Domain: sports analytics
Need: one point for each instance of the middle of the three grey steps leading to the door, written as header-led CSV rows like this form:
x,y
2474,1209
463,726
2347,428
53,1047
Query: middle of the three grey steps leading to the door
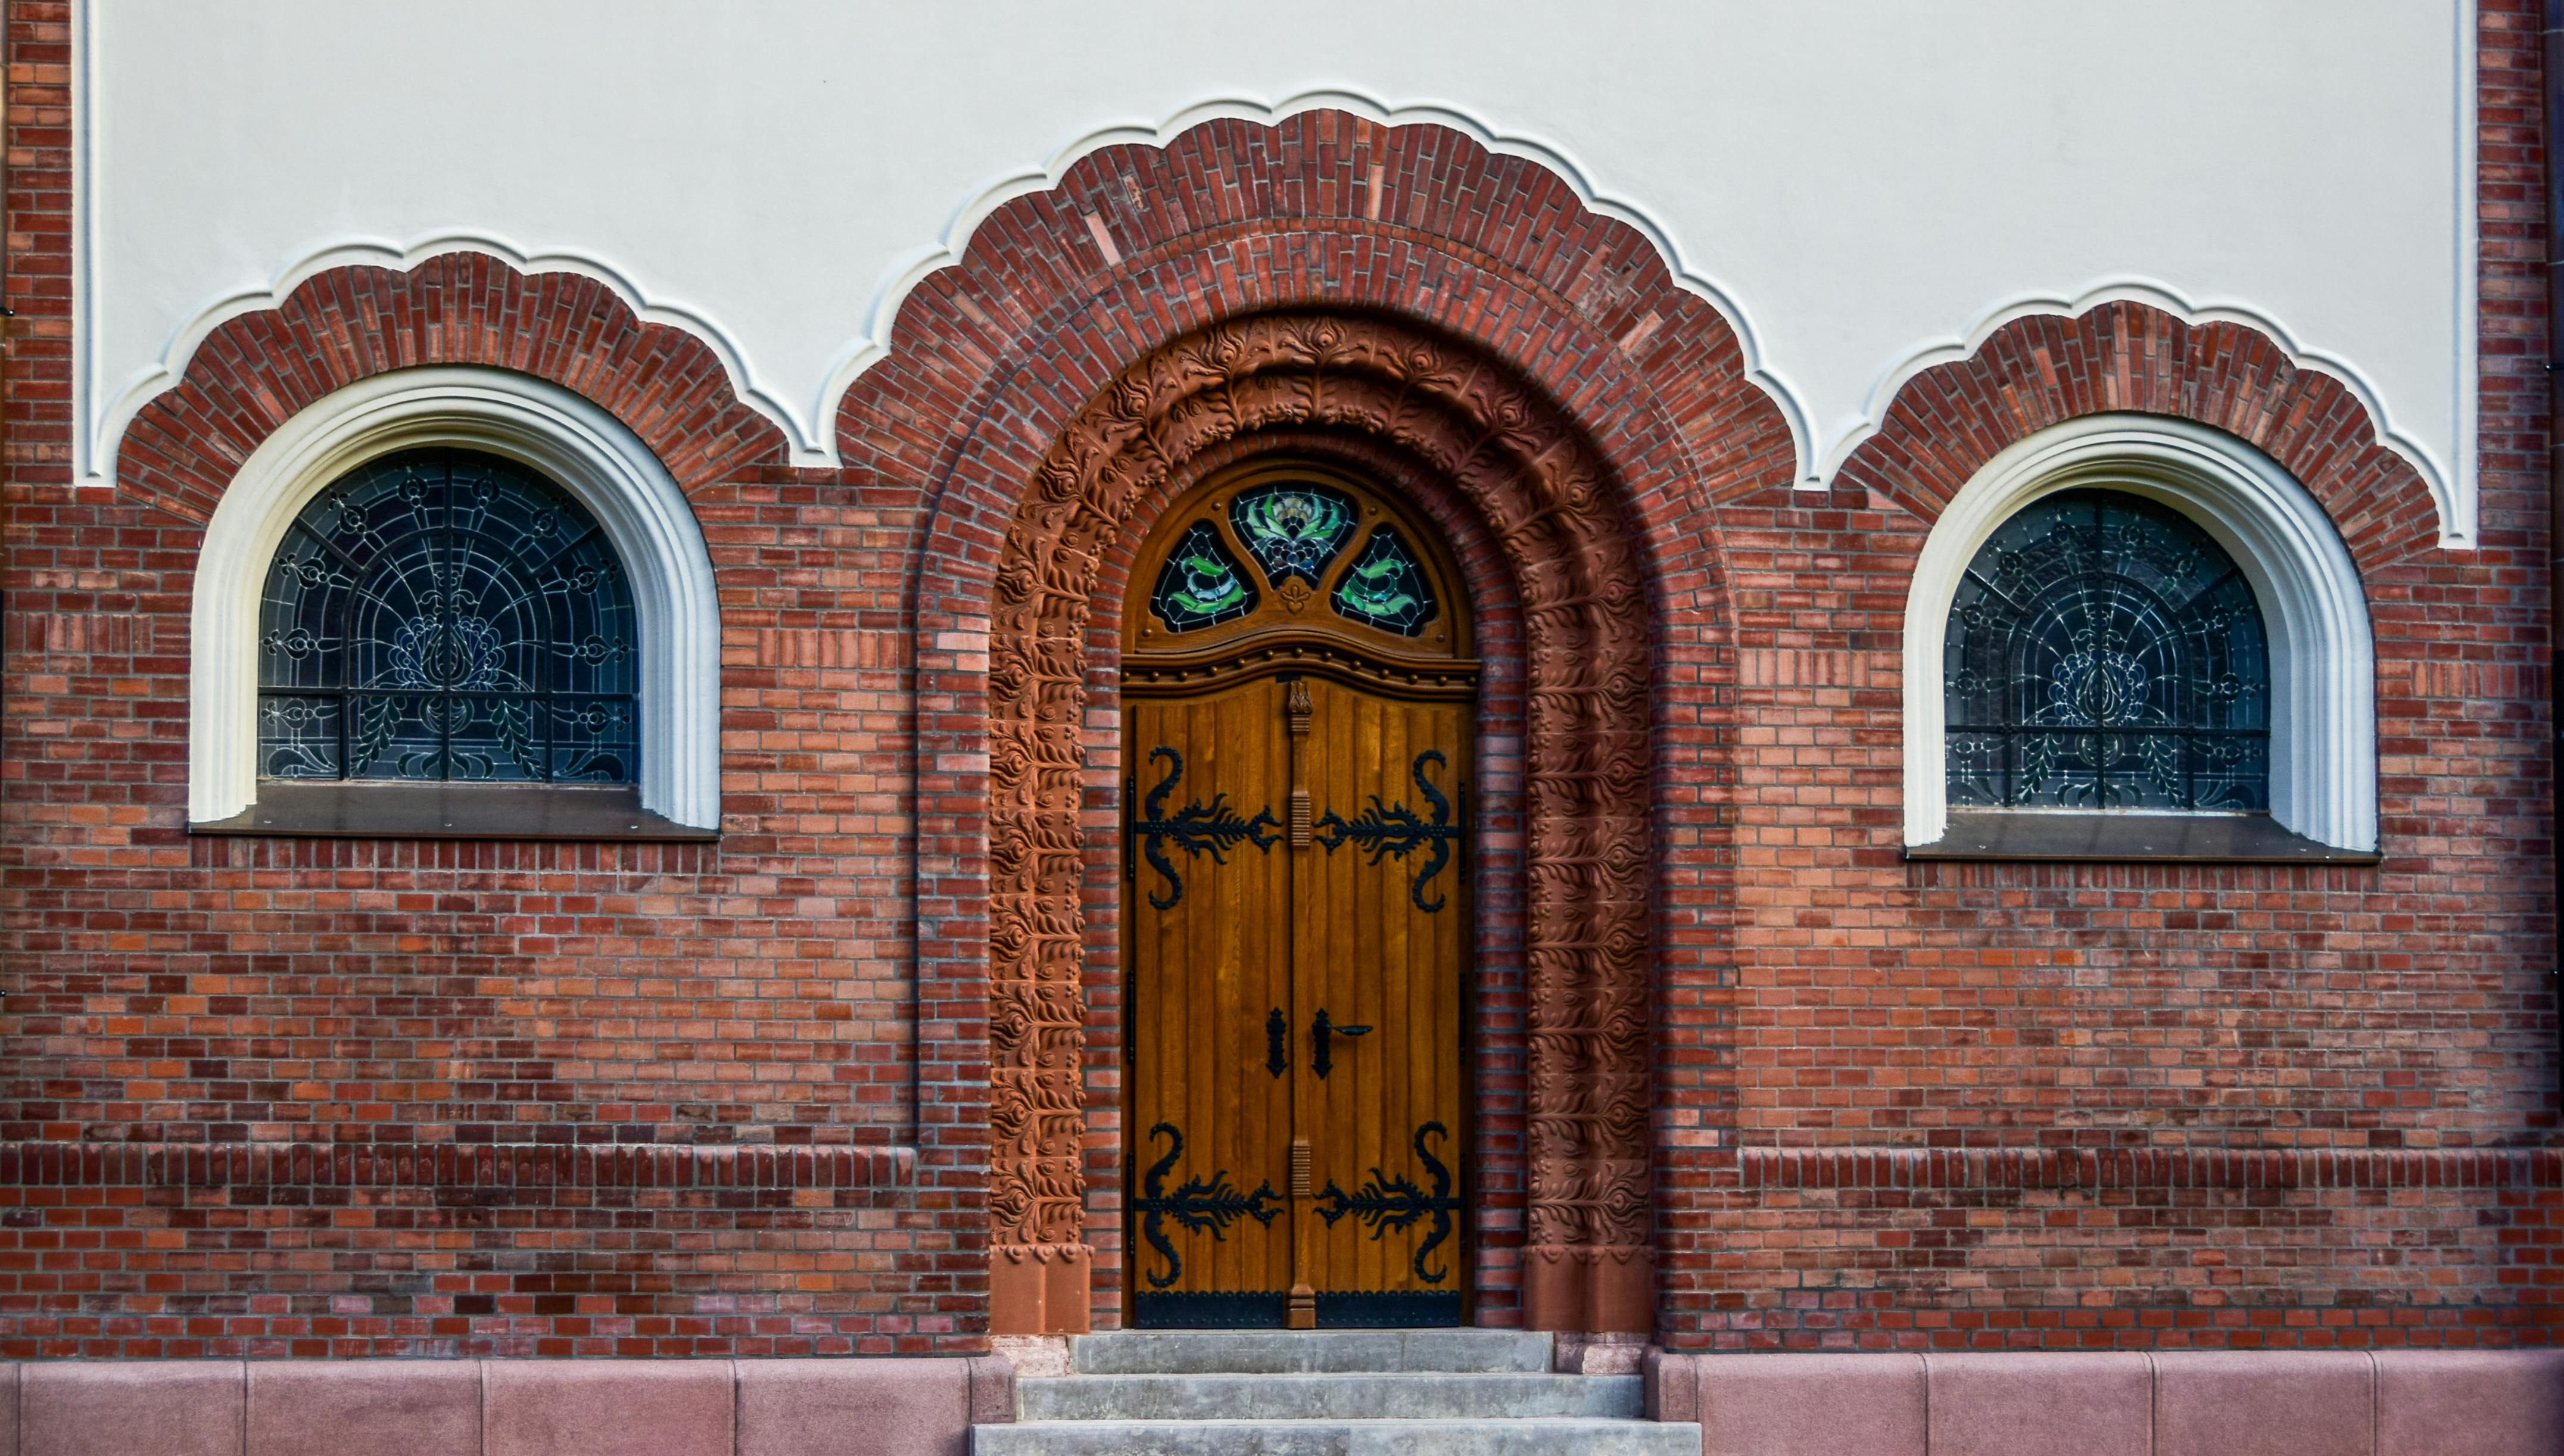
x,y
1329,1398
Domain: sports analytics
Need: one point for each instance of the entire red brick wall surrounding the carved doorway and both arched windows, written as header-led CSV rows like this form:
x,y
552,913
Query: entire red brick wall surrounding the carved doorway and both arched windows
x,y
427,1098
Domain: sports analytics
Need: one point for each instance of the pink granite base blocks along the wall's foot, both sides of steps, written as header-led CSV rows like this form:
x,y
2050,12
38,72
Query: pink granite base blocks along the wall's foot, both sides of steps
x,y
2209,1403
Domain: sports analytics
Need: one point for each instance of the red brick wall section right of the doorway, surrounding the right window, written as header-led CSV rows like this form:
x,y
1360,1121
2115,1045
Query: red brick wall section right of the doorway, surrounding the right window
x,y
2017,1106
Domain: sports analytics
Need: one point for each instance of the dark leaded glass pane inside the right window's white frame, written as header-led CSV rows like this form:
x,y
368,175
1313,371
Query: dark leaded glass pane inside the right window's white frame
x,y
2106,655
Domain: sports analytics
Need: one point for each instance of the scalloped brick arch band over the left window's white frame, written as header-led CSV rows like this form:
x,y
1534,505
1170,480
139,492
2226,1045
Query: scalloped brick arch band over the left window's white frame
x,y
458,309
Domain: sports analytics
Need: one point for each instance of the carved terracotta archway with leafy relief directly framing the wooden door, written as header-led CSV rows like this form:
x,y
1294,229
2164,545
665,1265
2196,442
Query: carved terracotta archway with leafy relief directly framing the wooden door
x,y
1553,509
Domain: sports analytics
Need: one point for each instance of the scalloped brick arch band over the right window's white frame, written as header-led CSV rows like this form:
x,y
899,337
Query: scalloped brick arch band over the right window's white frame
x,y
2035,373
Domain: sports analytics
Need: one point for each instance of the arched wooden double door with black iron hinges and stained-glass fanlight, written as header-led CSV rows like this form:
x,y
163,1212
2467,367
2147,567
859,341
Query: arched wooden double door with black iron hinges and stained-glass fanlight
x,y
1299,706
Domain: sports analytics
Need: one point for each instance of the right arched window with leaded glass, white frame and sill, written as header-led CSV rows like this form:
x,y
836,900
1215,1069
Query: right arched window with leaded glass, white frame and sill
x,y
2135,637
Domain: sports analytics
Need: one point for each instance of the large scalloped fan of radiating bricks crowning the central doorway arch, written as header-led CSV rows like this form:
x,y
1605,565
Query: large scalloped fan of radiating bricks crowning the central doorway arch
x,y
1142,245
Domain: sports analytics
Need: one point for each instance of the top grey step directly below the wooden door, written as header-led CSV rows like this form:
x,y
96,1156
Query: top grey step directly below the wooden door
x,y
1309,1352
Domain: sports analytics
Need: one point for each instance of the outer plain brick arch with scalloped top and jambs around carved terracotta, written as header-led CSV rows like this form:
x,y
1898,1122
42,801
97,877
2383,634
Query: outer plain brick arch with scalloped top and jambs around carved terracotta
x,y
1142,247
